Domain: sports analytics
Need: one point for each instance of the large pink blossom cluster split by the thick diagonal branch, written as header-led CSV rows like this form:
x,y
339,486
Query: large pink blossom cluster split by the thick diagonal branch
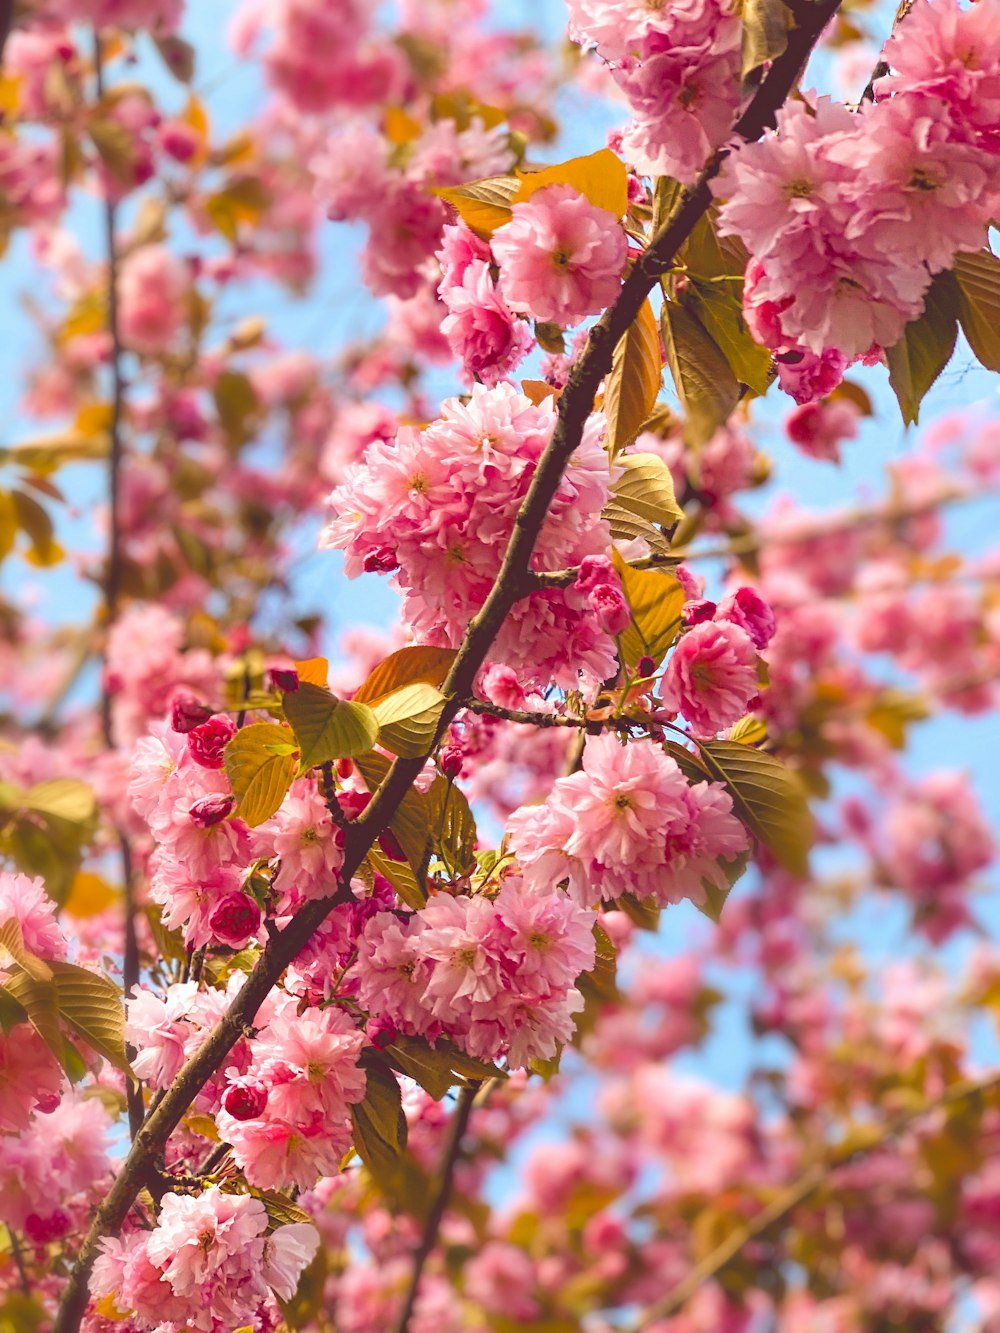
x,y
447,498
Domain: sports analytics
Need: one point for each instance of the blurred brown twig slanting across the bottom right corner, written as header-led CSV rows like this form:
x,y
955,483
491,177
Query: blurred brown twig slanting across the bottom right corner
x,y
797,1194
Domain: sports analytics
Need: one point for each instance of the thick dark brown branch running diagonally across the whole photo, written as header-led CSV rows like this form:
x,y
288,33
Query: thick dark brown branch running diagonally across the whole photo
x,y
575,407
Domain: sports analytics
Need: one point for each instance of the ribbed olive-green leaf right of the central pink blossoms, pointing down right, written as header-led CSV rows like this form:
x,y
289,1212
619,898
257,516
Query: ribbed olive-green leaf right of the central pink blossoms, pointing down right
x,y
769,798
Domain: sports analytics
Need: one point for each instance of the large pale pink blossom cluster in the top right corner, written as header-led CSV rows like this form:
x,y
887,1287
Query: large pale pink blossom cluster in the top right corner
x,y
849,215
